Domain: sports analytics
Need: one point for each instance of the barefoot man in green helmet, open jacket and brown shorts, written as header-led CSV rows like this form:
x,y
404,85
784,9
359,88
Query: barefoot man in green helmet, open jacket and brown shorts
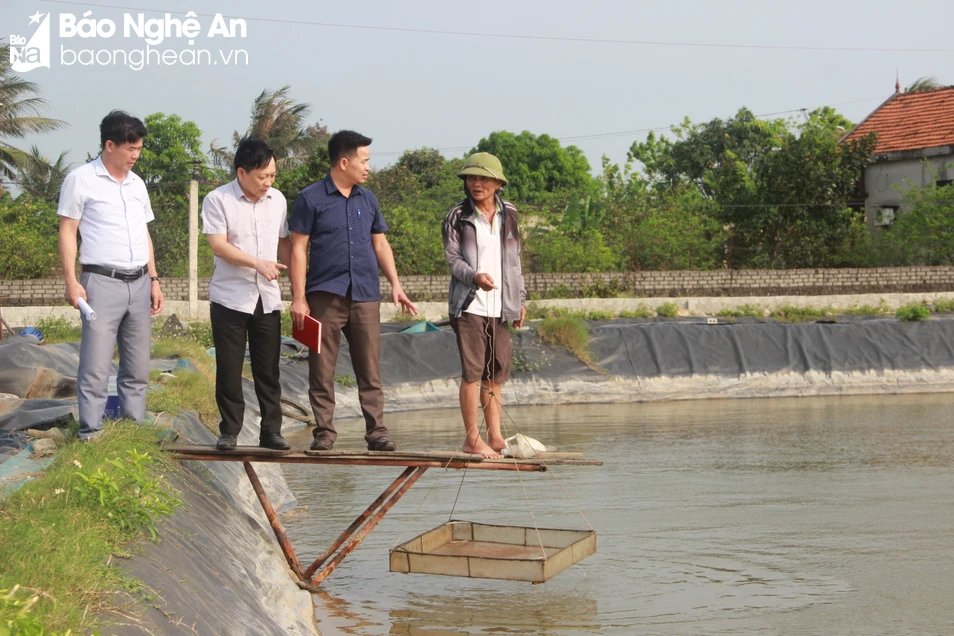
x,y
482,247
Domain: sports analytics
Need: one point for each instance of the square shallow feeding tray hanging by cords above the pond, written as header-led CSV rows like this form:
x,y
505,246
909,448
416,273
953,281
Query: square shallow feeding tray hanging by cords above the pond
x,y
481,551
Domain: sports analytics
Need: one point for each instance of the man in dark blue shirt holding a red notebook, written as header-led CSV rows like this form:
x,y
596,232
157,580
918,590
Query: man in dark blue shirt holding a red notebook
x,y
338,234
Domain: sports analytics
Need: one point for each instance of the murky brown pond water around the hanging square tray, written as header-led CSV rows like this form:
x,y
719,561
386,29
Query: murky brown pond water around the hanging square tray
x,y
810,515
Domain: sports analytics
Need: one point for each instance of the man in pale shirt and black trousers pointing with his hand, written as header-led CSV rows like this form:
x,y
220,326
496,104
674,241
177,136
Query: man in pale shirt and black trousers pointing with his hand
x,y
245,222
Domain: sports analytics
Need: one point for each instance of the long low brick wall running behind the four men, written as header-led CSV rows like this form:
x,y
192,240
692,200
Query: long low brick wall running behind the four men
x,y
752,282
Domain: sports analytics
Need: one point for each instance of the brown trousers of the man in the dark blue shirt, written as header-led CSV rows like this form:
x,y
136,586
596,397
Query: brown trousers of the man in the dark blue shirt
x,y
360,322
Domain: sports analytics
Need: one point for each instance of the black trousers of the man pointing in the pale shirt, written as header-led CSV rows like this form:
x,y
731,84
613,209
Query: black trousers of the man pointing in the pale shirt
x,y
230,331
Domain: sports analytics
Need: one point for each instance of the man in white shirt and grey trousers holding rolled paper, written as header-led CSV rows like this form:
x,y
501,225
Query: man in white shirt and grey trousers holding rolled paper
x,y
108,205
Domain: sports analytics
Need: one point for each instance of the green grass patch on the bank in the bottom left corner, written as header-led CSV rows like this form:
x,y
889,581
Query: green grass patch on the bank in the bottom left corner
x,y
59,532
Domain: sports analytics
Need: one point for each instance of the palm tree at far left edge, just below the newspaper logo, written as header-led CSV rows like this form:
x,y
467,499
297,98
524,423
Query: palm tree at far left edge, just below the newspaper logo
x,y
19,115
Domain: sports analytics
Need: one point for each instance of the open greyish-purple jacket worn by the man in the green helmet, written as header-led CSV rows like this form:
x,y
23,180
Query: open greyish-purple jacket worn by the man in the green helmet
x,y
460,249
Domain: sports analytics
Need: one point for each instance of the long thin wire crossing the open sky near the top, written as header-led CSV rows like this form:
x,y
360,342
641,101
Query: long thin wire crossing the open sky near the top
x,y
538,38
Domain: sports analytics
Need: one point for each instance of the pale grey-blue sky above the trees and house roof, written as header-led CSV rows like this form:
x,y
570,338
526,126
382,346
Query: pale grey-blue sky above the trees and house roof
x,y
444,73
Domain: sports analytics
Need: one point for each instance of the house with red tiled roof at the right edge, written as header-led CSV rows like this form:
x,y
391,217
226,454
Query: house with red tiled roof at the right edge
x,y
915,147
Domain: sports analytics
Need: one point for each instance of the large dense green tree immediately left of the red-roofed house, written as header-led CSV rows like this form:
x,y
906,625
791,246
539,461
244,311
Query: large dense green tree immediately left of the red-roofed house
x,y
780,189
